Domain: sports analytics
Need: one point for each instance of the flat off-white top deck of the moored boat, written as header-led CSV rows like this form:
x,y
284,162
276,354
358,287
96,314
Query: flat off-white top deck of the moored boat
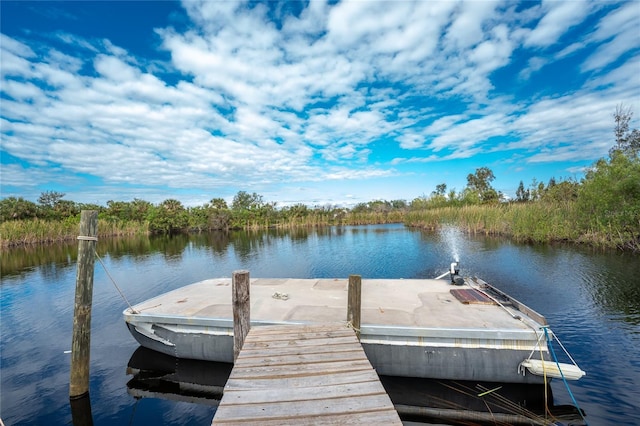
x,y
385,302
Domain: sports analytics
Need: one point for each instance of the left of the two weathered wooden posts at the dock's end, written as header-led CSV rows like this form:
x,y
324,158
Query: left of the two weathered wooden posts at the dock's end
x,y
240,285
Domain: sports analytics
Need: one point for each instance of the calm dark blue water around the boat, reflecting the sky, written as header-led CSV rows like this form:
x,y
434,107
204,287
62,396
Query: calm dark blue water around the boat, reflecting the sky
x,y
591,300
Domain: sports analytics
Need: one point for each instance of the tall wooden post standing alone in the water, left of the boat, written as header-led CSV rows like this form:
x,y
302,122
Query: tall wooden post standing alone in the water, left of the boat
x,y
80,345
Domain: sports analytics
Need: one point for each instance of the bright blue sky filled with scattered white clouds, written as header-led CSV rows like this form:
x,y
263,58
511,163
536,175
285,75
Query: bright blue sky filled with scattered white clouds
x,y
316,103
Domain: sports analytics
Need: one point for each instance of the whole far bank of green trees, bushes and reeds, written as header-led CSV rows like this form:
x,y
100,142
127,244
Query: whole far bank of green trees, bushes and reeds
x,y
602,210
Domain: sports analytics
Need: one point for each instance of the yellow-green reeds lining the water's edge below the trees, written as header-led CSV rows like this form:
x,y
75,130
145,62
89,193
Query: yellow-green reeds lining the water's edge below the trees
x,y
522,222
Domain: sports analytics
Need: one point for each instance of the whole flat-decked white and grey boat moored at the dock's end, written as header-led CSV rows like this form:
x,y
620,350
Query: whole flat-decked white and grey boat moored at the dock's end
x,y
427,328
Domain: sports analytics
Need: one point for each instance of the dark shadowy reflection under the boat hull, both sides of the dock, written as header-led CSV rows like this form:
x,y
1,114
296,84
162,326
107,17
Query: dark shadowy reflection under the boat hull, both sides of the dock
x,y
156,375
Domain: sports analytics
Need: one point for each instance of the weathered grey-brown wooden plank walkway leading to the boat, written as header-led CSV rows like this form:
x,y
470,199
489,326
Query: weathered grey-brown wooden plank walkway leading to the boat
x,y
304,374
